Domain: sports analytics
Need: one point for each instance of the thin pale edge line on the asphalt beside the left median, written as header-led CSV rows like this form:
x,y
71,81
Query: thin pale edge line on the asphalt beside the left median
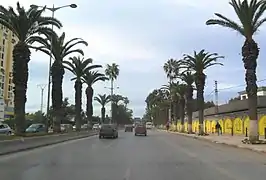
x,y
41,149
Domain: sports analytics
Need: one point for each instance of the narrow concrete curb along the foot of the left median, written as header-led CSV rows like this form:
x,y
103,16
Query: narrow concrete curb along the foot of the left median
x,y
46,144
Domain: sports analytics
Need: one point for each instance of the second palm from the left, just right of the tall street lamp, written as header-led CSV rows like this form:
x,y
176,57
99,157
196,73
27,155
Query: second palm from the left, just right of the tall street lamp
x,y
60,50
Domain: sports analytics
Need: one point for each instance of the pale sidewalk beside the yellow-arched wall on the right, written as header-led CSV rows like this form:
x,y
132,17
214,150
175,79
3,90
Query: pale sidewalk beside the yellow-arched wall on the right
x,y
234,141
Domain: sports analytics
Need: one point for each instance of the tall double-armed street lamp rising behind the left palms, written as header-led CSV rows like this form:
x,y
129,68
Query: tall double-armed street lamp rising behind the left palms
x,y
53,9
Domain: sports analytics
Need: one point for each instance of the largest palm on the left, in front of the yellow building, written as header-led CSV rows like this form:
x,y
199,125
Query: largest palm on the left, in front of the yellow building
x,y
27,26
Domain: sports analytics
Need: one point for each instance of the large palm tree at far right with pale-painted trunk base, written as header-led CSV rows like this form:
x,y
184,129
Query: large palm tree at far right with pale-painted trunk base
x,y
250,15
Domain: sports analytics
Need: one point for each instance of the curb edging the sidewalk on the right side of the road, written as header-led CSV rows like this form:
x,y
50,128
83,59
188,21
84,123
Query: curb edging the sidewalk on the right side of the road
x,y
222,143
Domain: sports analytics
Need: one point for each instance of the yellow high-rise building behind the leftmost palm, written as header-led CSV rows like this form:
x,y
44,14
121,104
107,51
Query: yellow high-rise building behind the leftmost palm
x,y
7,42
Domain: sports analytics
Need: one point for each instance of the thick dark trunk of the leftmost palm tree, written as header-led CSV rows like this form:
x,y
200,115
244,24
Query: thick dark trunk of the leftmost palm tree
x,y
21,57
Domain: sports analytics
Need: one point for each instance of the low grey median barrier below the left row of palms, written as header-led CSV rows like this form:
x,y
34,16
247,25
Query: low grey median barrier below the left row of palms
x,y
22,144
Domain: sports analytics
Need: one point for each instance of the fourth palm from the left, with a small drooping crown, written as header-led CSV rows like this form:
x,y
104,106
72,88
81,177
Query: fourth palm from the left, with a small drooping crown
x,y
91,77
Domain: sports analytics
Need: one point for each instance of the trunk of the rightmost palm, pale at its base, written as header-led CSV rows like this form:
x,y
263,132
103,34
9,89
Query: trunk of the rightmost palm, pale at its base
x,y
250,53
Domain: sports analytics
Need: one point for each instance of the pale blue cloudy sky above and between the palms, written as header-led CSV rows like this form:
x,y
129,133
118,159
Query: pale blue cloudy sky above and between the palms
x,y
140,36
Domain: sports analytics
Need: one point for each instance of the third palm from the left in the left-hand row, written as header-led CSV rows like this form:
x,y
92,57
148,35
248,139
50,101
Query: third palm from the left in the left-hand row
x,y
78,66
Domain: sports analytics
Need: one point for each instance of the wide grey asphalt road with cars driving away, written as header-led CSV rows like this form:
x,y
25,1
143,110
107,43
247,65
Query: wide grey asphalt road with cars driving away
x,y
159,156
